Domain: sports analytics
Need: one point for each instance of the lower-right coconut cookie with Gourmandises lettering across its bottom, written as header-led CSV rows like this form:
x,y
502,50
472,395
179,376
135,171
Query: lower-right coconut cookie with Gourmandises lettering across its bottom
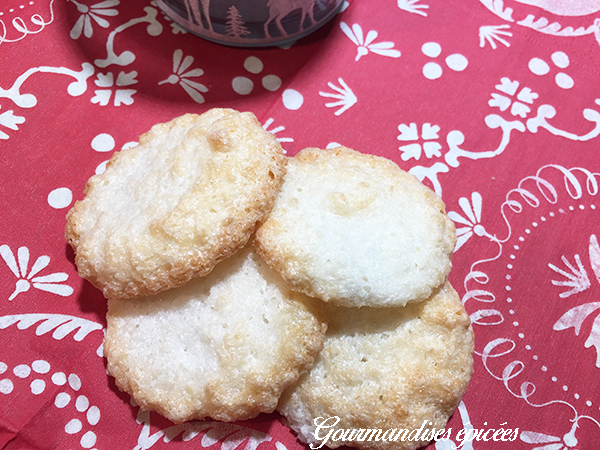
x,y
385,369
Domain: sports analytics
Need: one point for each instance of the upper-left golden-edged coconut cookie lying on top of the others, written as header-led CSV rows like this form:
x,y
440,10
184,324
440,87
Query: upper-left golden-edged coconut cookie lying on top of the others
x,y
189,195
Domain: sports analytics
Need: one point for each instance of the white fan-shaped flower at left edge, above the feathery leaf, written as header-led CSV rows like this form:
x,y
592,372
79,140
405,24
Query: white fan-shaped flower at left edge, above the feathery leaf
x,y
48,283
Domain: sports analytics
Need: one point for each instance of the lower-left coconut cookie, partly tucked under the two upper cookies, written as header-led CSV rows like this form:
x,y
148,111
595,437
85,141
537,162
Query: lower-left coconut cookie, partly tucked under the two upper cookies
x,y
223,346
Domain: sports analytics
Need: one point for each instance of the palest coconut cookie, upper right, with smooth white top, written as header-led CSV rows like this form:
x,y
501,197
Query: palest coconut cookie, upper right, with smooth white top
x,y
356,230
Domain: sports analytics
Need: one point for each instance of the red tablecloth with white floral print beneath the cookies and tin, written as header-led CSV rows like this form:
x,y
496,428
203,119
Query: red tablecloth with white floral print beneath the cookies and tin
x,y
494,104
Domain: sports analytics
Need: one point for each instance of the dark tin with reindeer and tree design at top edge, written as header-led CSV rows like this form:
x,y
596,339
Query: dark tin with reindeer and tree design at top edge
x,y
251,23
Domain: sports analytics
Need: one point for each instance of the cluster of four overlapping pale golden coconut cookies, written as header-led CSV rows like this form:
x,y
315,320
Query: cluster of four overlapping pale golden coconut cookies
x,y
240,281
